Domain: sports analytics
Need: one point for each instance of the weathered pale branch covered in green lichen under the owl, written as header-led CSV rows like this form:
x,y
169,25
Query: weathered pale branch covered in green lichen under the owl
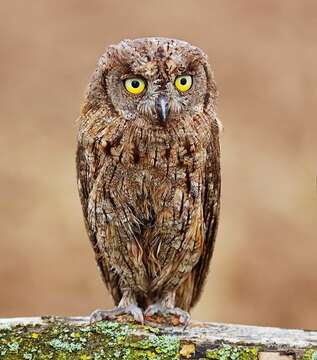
x,y
75,338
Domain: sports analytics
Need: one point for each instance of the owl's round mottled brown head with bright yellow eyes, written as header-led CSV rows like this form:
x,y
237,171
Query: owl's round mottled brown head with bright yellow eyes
x,y
153,79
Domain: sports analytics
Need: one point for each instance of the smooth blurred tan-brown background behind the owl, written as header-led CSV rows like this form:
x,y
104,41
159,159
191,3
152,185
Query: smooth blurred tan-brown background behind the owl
x,y
264,55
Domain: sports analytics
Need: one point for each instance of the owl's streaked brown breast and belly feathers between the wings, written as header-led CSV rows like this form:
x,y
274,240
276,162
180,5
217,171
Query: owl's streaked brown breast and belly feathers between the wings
x,y
147,202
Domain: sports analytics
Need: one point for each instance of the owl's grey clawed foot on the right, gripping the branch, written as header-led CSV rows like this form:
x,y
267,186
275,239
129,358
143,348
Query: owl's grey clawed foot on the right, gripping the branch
x,y
175,316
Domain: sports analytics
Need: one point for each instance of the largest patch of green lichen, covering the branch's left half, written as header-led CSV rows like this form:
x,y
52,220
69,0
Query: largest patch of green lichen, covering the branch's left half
x,y
103,340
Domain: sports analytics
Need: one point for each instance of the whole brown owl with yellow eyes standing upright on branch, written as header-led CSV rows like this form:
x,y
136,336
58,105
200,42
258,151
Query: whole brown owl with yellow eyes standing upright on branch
x,y
149,175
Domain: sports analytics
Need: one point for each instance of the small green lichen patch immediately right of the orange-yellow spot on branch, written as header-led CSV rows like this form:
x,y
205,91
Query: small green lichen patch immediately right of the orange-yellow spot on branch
x,y
228,352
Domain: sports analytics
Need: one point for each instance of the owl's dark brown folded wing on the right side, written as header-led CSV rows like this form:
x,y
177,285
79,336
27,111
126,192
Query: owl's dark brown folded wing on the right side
x,y
211,207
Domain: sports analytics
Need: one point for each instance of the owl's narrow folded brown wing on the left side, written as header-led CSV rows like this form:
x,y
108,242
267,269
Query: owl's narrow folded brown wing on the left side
x,y
86,176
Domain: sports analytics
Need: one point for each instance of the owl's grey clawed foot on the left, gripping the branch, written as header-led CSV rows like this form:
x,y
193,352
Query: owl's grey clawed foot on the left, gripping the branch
x,y
117,312
